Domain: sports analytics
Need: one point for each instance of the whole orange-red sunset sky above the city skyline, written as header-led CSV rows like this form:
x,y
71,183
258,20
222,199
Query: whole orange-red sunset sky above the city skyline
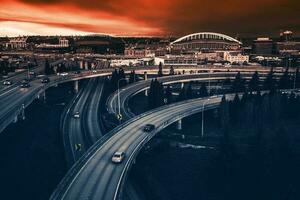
x,y
148,17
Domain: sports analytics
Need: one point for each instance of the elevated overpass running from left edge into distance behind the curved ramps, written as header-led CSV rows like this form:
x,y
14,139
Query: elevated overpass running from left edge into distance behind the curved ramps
x,y
15,100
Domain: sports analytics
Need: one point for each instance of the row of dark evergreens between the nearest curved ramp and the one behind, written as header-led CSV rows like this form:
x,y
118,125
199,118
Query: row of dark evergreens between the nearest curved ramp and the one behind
x,y
237,85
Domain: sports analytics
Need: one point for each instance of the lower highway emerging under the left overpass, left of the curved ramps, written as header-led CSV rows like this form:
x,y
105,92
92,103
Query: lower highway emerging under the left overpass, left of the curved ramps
x,y
80,133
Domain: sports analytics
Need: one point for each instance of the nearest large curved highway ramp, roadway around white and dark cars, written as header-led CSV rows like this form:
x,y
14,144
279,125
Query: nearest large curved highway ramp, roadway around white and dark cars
x,y
94,176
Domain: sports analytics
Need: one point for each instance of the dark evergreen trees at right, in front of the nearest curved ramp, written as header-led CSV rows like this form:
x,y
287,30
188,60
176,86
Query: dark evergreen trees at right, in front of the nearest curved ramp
x,y
256,111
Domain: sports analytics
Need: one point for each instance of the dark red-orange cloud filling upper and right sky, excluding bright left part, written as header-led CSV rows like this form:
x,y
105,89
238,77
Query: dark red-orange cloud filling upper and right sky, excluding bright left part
x,y
178,17
